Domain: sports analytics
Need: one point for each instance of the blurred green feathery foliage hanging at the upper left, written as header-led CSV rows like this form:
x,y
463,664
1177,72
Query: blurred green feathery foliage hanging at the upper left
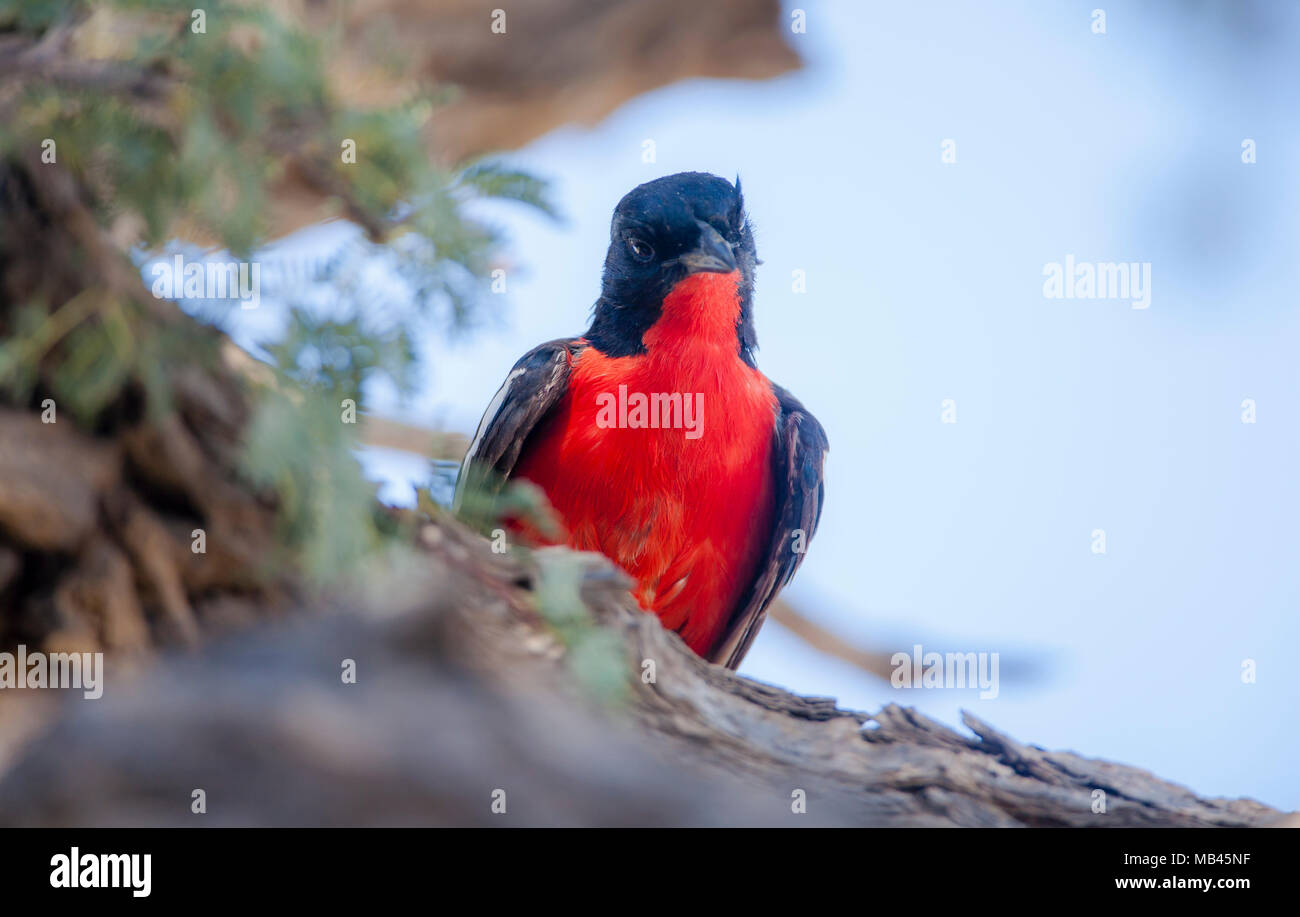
x,y
166,128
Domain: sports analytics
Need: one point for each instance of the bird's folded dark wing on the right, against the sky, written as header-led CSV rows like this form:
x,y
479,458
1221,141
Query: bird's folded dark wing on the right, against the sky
x,y
799,449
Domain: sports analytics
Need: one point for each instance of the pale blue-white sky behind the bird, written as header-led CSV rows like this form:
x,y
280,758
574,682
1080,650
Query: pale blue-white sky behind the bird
x,y
925,282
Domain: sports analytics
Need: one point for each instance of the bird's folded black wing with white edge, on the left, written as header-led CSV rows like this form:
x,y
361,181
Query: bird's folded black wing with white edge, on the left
x,y
534,387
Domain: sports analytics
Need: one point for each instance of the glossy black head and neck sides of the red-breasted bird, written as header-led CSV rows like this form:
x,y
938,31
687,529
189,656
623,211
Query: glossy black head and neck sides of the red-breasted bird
x,y
662,232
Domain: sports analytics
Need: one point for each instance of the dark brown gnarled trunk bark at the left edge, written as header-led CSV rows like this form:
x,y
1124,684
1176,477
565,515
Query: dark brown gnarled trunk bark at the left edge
x,y
97,526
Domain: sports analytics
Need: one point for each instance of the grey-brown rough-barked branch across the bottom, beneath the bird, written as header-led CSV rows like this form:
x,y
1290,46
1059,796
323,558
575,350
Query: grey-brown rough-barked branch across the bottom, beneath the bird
x,y
463,690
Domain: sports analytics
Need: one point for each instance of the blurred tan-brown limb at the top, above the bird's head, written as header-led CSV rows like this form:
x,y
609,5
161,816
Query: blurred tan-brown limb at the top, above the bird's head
x,y
557,62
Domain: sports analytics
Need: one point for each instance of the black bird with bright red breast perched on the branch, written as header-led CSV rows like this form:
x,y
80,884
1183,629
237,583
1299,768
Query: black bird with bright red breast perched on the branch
x,y
655,436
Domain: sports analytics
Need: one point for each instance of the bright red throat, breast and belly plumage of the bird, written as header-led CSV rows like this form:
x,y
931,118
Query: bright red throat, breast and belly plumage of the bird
x,y
688,518
